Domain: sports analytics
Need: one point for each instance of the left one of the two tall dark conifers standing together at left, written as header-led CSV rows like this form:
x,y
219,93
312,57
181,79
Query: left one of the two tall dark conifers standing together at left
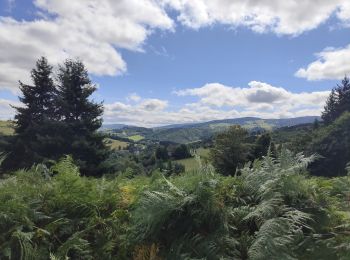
x,y
33,141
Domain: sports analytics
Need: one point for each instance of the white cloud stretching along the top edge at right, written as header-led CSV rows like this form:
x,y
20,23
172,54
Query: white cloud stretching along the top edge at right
x,y
282,17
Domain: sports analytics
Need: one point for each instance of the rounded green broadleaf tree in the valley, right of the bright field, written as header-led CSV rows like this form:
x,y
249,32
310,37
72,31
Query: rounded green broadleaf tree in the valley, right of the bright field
x,y
231,150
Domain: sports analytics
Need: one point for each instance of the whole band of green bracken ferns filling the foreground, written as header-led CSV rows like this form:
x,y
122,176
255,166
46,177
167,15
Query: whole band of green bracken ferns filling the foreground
x,y
273,210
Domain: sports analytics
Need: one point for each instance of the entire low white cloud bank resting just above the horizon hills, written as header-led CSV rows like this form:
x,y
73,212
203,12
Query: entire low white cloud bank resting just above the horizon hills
x,y
217,101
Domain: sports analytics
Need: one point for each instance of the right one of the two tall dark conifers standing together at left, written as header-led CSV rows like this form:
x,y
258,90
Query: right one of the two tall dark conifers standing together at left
x,y
80,118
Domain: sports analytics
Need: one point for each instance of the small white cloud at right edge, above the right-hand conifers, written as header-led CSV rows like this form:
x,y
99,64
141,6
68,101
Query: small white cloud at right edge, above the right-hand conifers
x,y
330,64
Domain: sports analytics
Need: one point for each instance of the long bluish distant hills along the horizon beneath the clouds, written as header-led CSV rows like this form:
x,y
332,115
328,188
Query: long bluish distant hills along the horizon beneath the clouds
x,y
186,133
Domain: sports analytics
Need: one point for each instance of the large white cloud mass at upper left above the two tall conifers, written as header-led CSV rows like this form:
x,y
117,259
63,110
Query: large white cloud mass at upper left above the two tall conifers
x,y
89,29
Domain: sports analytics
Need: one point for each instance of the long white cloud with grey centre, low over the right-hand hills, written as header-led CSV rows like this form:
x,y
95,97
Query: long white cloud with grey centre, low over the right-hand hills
x,y
258,96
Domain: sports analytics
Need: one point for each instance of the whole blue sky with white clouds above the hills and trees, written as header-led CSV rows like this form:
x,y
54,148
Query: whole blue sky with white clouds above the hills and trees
x,y
159,62
